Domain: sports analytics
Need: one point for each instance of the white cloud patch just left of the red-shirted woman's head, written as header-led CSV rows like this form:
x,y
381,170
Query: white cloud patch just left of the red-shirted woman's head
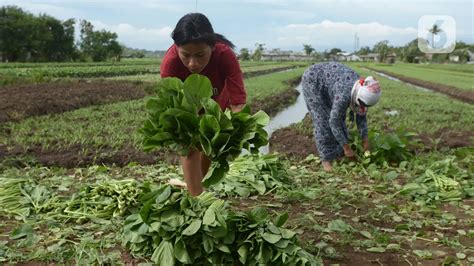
x,y
147,38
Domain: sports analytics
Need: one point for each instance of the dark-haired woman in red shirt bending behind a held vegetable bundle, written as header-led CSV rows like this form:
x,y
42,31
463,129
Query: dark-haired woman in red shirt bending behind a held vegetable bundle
x,y
197,49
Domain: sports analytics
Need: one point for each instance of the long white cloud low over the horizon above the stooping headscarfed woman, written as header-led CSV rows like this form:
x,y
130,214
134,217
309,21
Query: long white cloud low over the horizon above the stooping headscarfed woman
x,y
341,34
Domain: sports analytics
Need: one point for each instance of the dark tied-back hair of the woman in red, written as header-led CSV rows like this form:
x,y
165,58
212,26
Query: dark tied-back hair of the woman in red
x,y
194,28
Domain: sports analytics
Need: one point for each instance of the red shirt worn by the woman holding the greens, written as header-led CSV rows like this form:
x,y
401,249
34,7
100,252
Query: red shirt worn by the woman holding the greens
x,y
223,70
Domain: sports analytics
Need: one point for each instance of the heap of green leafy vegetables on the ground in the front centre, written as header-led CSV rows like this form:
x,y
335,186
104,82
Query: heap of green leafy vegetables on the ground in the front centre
x,y
173,227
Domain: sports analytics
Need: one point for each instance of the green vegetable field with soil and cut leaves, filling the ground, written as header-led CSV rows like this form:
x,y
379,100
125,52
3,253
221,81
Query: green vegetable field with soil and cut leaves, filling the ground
x,y
88,184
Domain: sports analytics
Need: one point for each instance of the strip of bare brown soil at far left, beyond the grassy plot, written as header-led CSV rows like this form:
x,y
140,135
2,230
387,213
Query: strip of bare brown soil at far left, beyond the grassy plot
x,y
19,102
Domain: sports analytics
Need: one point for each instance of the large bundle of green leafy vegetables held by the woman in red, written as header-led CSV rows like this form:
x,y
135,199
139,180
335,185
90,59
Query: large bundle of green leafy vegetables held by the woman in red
x,y
184,117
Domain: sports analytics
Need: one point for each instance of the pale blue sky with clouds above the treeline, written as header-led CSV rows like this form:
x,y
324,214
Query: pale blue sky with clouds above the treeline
x,y
283,24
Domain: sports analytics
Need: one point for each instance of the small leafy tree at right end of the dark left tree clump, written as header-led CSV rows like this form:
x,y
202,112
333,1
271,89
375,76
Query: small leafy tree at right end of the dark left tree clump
x,y
99,45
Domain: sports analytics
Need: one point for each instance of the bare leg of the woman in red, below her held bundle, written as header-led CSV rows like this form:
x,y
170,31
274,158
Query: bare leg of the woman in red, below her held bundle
x,y
192,172
